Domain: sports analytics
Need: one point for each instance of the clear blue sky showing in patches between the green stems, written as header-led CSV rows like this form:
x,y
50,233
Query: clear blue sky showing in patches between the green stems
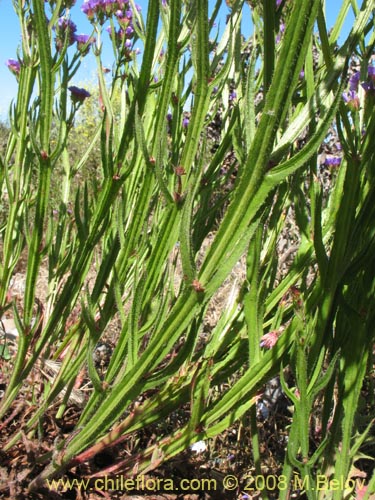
x,y
10,39
